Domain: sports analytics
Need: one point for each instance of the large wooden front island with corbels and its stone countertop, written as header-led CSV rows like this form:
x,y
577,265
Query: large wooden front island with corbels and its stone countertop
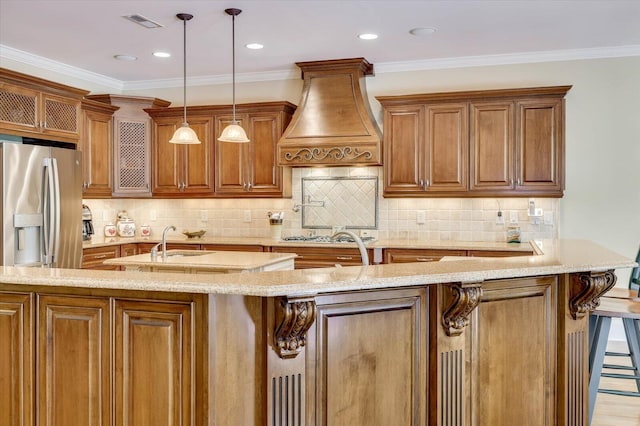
x,y
481,341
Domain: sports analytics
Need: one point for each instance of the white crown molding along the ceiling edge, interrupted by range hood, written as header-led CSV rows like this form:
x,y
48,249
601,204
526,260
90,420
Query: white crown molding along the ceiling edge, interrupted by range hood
x,y
292,74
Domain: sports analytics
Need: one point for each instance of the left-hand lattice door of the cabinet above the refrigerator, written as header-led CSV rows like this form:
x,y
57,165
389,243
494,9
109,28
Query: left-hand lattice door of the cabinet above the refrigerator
x,y
19,108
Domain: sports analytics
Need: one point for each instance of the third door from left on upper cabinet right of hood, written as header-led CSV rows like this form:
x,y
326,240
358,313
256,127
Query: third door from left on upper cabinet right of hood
x,y
492,143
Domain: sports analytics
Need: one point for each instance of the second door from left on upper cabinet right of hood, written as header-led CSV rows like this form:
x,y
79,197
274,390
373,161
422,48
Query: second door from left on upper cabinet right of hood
x,y
447,145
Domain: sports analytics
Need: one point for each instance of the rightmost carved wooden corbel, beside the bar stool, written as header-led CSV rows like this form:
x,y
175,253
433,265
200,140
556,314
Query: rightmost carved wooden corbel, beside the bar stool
x,y
591,285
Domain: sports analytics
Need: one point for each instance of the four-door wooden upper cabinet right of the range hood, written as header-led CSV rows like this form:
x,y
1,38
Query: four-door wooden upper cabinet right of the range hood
x,y
475,144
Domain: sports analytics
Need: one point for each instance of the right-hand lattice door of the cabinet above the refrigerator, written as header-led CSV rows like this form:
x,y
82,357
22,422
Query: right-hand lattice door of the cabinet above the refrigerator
x,y
59,115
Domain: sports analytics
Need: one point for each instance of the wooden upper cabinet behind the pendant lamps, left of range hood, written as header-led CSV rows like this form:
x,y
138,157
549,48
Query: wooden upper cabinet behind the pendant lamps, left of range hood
x,y
221,169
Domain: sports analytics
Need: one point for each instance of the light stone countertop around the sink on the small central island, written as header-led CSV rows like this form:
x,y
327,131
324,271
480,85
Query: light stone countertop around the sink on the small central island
x,y
232,261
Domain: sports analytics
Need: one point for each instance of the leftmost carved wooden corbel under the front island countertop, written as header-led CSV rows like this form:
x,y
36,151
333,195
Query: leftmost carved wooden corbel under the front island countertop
x,y
293,317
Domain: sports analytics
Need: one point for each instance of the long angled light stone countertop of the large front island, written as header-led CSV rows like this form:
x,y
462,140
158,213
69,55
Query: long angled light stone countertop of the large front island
x,y
558,257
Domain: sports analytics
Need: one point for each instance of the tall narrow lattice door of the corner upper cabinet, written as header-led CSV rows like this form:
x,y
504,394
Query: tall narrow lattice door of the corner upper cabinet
x,y
132,158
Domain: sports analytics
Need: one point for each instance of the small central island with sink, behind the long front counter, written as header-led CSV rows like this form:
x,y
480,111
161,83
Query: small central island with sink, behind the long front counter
x,y
205,262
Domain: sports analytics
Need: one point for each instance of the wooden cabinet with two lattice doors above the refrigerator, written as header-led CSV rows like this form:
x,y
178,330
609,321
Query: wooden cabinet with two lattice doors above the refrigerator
x,y
33,107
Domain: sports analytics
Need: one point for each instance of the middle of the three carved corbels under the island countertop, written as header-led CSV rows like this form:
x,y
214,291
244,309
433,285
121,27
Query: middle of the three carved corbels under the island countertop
x,y
466,297
